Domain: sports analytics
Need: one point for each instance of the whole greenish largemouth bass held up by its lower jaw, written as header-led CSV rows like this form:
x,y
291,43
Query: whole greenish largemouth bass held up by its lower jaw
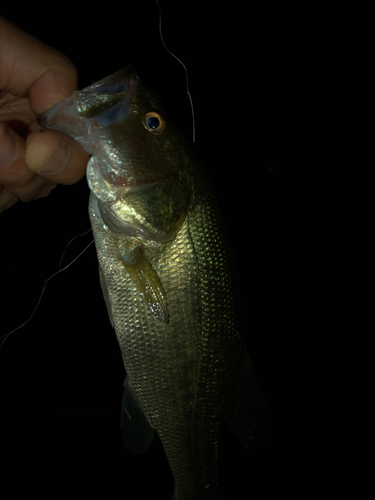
x,y
169,281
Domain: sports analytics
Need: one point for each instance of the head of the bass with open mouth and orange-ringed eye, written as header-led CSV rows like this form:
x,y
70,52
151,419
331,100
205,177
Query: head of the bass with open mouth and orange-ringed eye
x,y
140,168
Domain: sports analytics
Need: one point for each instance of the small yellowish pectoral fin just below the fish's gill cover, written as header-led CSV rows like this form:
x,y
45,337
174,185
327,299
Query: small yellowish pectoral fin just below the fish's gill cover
x,y
148,282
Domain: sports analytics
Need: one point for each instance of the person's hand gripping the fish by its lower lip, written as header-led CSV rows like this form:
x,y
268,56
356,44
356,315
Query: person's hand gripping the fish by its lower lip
x,y
33,78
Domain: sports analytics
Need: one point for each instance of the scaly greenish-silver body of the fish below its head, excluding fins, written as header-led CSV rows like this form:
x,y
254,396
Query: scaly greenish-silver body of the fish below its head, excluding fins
x,y
188,357
